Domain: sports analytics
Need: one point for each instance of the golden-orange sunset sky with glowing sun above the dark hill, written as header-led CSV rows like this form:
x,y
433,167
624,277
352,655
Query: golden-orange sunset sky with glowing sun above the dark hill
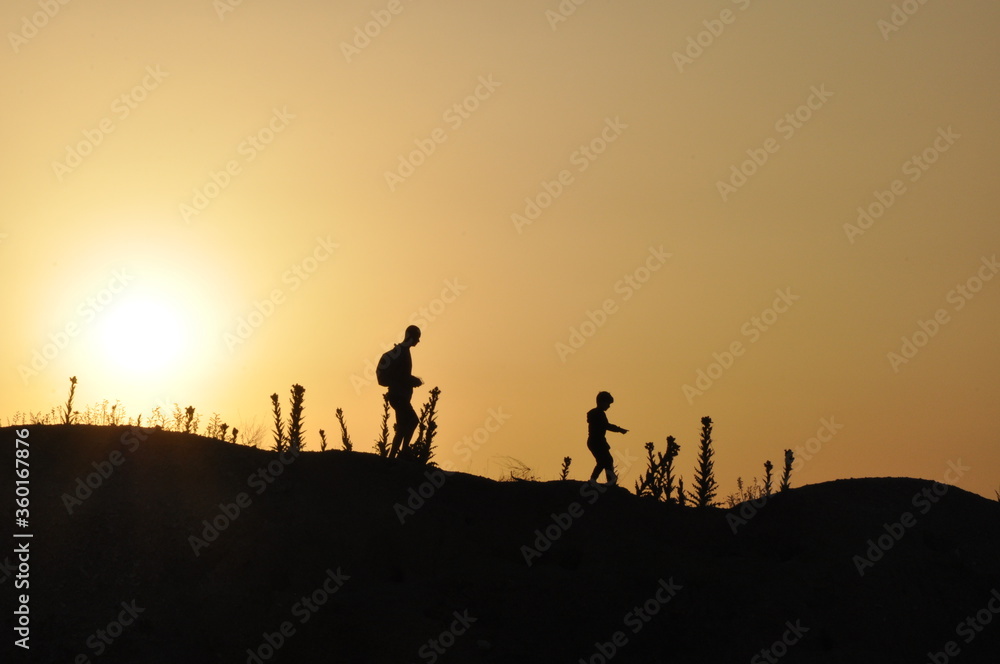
x,y
170,168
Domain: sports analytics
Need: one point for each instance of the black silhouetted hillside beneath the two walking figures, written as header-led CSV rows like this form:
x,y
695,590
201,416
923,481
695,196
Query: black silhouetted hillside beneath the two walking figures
x,y
318,546
